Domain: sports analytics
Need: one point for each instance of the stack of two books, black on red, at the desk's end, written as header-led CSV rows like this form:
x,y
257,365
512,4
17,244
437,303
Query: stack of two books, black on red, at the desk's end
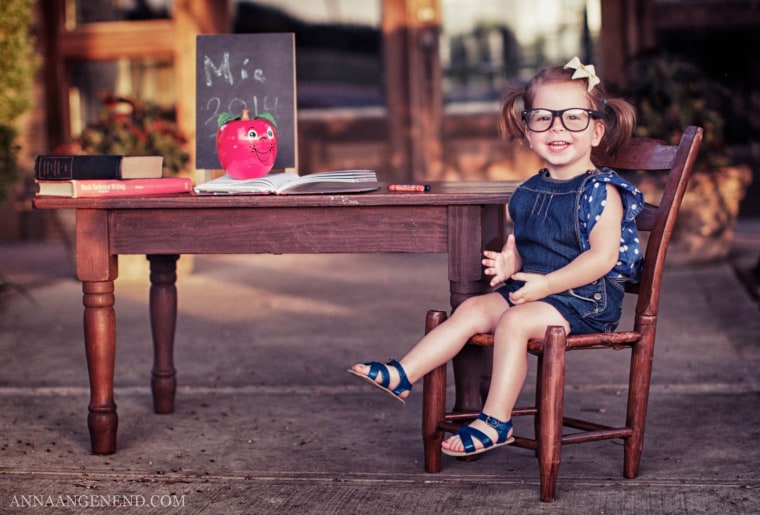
x,y
104,176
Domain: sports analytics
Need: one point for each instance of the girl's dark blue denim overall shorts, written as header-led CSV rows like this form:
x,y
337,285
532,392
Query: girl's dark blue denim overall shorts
x,y
547,235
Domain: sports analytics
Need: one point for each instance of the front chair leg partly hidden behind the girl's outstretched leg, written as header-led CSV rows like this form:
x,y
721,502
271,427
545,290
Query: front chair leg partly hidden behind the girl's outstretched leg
x,y
433,403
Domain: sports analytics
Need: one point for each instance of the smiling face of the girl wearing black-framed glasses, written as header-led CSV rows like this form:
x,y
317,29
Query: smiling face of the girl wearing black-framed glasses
x,y
566,153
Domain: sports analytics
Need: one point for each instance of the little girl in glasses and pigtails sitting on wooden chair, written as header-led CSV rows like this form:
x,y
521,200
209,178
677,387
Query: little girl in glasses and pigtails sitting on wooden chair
x,y
573,247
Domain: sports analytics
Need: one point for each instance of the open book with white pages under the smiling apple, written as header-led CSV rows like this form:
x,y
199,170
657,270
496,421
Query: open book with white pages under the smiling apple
x,y
286,183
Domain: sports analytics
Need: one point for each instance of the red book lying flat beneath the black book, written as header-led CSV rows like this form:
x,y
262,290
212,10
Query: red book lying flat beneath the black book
x,y
114,188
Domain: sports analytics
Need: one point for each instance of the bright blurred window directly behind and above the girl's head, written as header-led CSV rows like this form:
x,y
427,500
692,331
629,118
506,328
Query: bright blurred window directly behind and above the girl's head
x,y
488,44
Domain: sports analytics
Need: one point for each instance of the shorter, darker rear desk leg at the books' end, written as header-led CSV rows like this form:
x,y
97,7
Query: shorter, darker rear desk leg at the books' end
x,y
163,320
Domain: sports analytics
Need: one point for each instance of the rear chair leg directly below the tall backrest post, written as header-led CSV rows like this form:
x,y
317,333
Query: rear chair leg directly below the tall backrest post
x,y
638,398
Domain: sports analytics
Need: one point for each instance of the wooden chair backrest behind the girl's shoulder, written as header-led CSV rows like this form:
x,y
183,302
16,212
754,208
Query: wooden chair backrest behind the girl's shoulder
x,y
650,155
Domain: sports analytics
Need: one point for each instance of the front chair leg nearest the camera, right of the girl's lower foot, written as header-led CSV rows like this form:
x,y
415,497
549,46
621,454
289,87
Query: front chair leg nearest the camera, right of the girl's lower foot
x,y
551,411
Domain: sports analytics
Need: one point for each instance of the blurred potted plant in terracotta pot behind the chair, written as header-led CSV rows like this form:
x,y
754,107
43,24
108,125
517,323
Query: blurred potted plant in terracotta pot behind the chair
x,y
670,94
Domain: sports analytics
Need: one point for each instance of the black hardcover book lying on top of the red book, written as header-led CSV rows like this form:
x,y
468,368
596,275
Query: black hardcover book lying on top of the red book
x,y
100,166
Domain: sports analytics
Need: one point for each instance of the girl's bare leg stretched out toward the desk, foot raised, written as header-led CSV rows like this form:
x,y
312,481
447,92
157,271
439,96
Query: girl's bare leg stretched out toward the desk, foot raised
x,y
475,315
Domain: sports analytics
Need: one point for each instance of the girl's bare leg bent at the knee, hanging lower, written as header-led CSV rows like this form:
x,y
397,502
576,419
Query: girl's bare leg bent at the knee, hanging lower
x,y
510,363
